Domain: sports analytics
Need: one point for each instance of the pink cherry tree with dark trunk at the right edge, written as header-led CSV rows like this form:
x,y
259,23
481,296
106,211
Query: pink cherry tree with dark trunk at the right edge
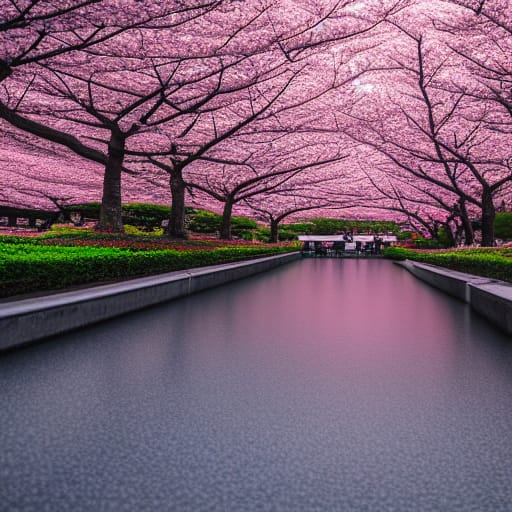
x,y
438,135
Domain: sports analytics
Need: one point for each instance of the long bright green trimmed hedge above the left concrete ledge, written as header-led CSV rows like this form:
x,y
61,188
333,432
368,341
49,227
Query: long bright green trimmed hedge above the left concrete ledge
x,y
26,268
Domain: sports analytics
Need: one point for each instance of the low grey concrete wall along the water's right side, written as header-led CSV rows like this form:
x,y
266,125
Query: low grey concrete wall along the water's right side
x,y
490,298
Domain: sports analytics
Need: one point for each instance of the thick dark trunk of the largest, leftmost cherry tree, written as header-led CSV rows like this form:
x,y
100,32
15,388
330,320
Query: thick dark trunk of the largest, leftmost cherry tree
x,y
111,207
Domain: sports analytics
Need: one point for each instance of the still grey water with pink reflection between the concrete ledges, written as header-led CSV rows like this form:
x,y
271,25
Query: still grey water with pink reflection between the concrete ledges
x,y
324,385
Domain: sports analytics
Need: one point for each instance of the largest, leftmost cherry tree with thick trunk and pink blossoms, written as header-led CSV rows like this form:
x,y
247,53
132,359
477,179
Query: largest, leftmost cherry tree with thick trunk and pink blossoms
x,y
72,30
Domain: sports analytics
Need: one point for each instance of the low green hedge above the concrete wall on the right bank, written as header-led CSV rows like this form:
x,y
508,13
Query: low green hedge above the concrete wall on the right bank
x,y
492,263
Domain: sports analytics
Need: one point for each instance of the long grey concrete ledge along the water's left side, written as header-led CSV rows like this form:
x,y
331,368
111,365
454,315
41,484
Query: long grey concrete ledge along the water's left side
x,y
31,320
